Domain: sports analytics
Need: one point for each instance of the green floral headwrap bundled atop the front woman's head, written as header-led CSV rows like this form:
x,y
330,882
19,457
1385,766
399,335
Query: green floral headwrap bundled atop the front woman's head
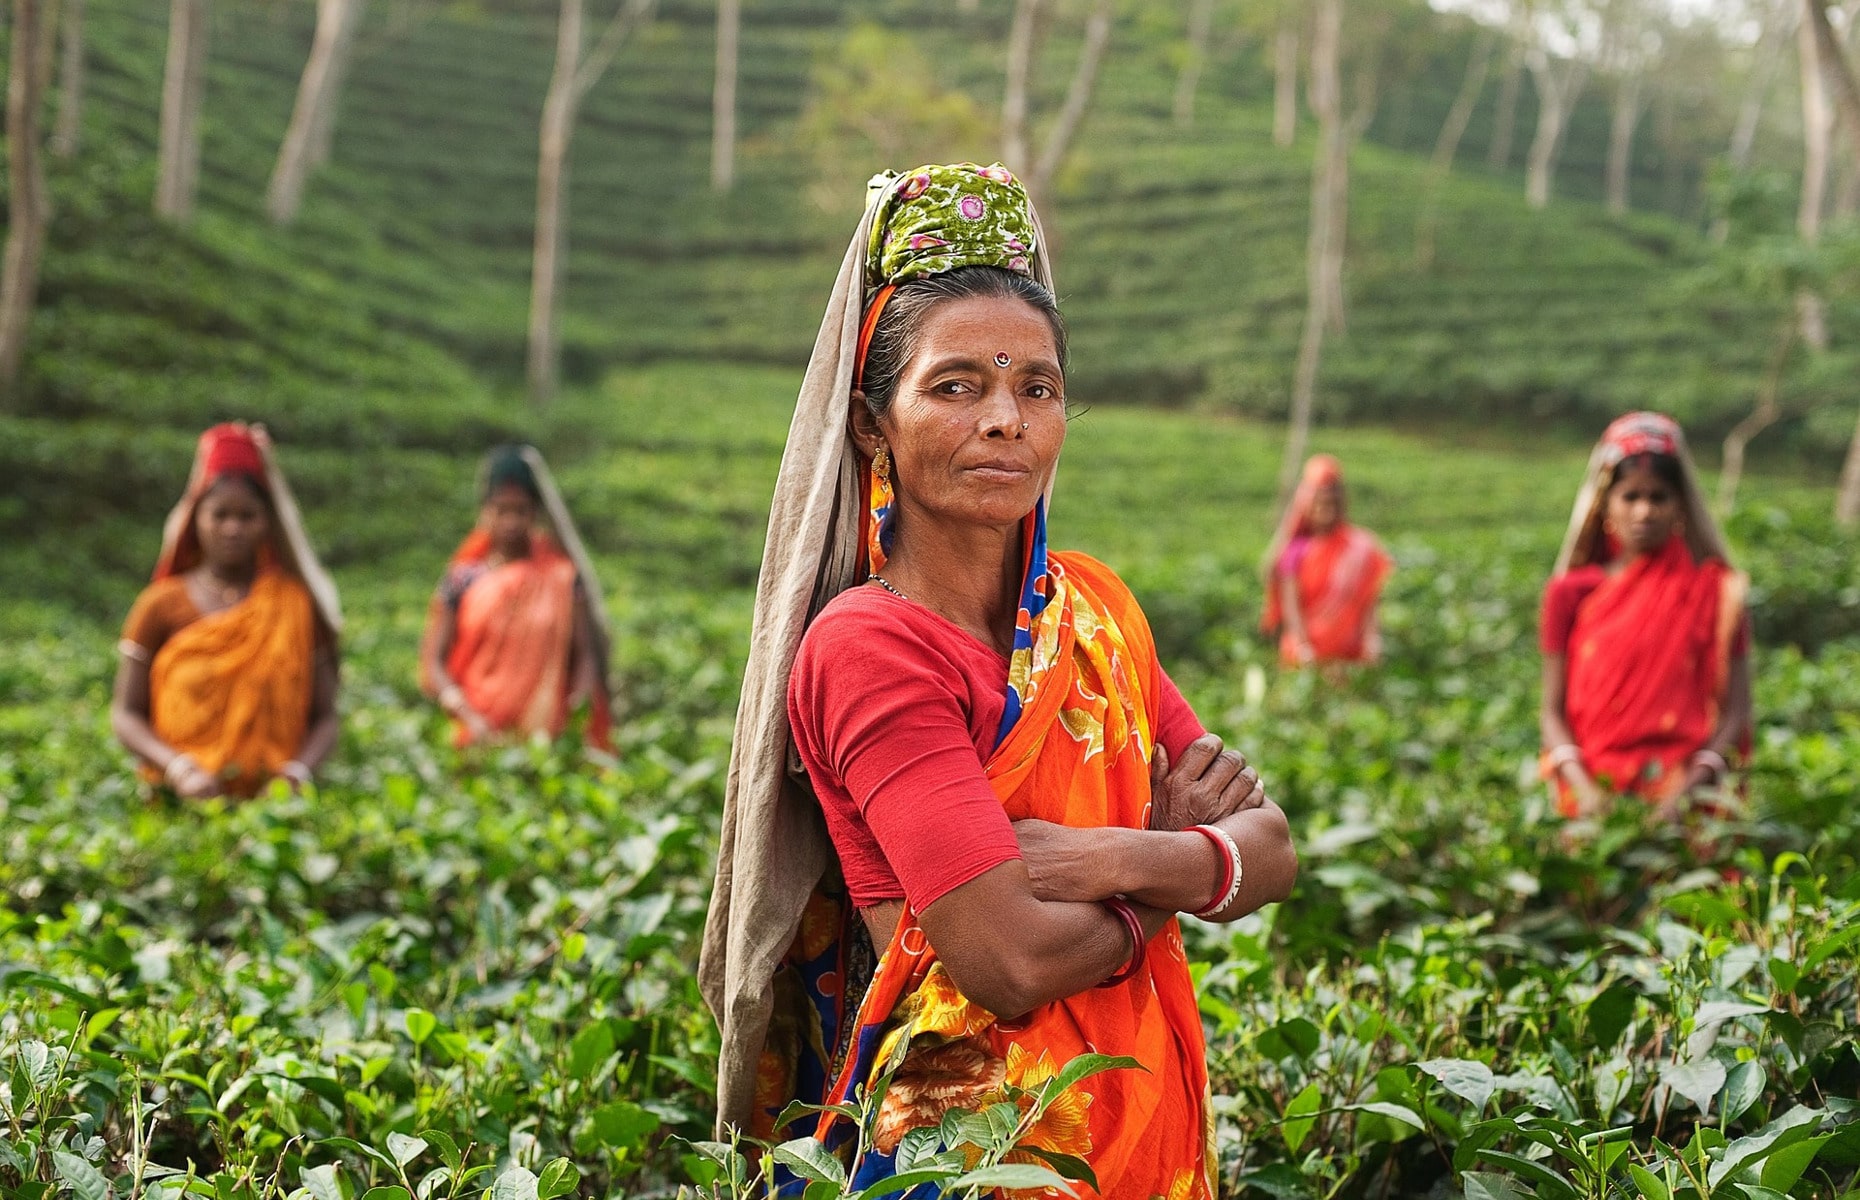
x,y
938,219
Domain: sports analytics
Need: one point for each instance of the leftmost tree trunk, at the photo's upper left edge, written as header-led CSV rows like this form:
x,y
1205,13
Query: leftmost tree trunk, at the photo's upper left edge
x,y
27,196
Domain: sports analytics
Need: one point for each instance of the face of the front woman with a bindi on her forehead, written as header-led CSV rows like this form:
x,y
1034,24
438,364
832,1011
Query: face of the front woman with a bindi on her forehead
x,y
979,416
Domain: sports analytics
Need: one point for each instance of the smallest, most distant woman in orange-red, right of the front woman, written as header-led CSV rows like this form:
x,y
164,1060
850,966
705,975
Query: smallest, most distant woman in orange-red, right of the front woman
x,y
1323,576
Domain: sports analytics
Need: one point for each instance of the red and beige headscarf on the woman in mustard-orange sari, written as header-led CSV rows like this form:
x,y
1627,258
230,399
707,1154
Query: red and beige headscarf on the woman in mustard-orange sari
x,y
245,451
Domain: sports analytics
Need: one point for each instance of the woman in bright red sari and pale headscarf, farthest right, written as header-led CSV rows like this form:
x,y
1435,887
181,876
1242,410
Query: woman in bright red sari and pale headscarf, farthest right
x,y
1647,674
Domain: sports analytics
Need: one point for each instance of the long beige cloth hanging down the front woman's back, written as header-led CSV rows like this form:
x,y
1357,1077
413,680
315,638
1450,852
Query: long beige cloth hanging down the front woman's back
x,y
775,846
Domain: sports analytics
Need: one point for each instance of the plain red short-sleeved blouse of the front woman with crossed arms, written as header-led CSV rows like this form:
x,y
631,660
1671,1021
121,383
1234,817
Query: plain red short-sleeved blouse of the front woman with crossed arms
x,y
894,712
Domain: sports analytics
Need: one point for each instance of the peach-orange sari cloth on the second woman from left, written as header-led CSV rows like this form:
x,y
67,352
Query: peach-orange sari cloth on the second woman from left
x,y
514,639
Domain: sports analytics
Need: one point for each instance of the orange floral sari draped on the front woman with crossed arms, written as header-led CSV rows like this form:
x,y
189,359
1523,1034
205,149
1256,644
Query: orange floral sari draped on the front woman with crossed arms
x,y
1080,754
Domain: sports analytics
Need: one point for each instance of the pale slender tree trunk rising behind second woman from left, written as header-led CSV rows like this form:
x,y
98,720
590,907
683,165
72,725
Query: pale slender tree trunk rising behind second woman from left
x,y
551,207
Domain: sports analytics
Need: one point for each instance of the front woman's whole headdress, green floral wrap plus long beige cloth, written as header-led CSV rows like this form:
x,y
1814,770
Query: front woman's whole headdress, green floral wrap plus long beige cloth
x,y
775,846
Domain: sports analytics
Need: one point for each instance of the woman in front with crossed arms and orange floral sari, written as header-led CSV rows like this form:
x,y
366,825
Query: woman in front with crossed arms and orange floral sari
x,y
989,740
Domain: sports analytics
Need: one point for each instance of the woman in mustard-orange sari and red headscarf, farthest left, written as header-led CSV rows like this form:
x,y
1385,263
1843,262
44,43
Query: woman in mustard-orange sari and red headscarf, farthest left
x,y
228,671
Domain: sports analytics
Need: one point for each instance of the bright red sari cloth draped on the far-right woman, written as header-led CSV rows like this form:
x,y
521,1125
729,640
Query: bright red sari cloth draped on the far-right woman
x,y
1649,661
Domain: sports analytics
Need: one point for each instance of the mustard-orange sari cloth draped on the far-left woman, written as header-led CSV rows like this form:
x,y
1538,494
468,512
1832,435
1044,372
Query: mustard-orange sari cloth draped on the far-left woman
x,y
233,689
